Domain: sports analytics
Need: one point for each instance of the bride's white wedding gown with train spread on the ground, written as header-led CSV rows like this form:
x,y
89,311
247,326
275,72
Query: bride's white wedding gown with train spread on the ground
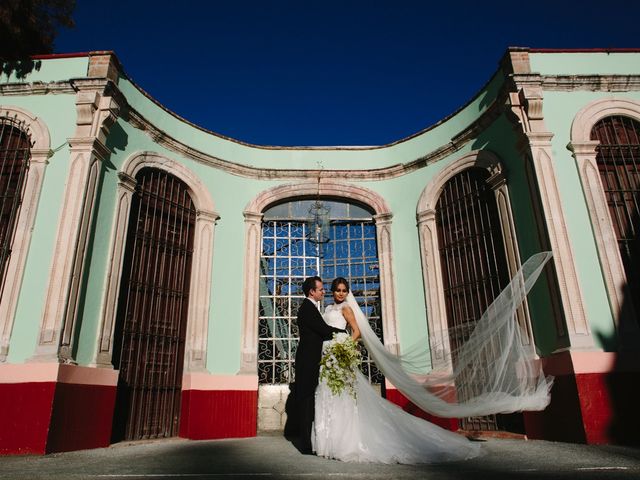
x,y
371,429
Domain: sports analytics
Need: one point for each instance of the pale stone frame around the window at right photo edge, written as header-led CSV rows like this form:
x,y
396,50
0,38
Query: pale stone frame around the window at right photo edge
x,y
584,153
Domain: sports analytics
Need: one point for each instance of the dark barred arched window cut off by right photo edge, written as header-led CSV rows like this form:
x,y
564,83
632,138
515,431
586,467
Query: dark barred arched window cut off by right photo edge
x,y
618,160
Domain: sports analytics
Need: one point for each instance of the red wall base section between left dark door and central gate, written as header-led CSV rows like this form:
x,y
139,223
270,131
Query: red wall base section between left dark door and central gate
x,y
218,414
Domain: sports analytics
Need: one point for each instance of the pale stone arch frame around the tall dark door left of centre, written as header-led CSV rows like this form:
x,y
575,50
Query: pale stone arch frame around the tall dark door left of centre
x,y
199,299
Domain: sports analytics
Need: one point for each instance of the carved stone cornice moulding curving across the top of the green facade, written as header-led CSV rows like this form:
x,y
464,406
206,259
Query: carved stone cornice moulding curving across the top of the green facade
x,y
606,83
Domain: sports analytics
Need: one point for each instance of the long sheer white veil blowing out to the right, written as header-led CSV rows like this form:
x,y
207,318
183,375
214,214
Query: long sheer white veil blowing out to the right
x,y
493,371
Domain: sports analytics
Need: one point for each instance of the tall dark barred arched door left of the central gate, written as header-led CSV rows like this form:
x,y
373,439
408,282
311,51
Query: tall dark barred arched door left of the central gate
x,y
152,308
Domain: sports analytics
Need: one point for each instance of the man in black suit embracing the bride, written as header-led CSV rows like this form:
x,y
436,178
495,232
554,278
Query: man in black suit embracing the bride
x,y
313,331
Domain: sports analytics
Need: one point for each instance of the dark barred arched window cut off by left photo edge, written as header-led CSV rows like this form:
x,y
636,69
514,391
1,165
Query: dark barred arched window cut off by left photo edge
x,y
15,152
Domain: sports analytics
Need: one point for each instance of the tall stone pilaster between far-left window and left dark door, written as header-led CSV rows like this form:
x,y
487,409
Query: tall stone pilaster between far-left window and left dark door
x,y
95,114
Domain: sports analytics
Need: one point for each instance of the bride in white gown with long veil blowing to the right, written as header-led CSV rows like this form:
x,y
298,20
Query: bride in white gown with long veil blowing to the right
x,y
357,425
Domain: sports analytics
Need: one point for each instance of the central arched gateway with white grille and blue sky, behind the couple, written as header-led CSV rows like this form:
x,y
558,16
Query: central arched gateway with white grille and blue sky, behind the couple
x,y
287,258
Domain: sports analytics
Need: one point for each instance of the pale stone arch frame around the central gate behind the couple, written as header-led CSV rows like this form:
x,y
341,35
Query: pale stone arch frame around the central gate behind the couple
x,y
253,240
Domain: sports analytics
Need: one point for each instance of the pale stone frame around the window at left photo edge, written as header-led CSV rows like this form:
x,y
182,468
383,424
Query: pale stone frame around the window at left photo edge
x,y
40,153
